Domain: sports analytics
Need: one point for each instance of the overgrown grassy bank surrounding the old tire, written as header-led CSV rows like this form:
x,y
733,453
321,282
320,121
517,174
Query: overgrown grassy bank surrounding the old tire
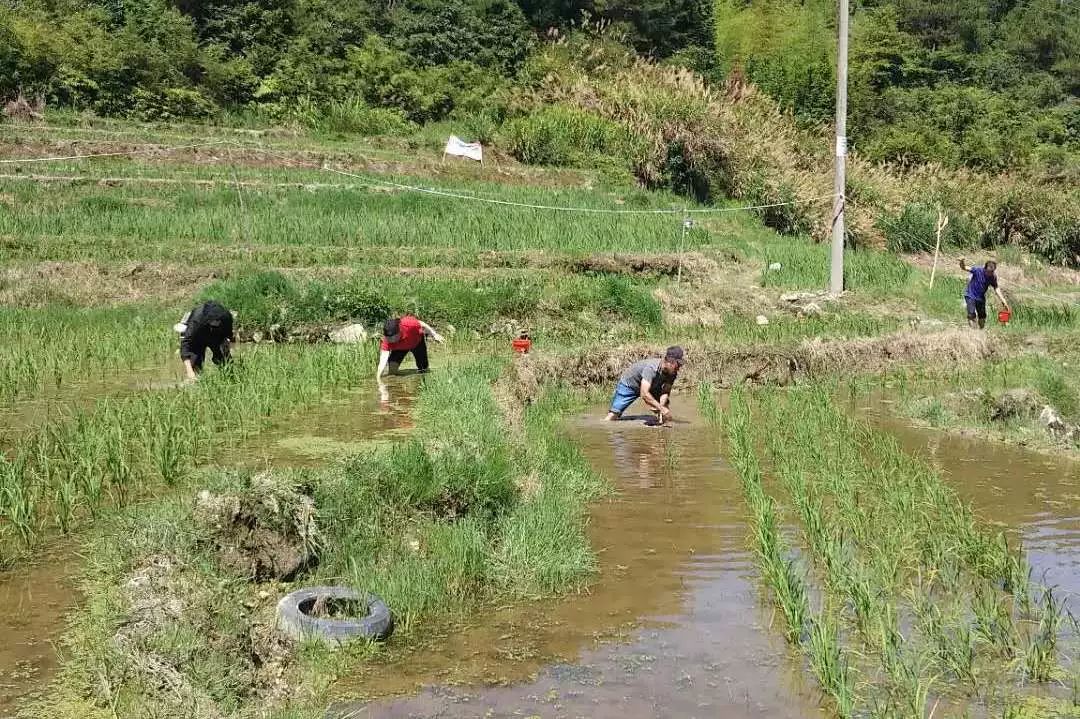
x,y
466,513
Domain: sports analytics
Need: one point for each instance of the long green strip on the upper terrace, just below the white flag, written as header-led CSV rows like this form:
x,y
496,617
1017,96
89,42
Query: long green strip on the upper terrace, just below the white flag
x,y
65,215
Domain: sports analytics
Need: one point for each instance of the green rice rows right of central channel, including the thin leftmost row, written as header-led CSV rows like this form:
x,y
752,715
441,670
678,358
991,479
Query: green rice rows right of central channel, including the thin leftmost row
x,y
889,540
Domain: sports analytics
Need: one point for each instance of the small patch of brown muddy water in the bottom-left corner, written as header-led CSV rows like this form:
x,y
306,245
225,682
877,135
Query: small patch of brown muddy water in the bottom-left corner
x,y
34,601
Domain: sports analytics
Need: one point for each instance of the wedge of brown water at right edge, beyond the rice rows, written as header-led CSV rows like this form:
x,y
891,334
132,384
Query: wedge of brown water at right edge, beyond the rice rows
x,y
1034,497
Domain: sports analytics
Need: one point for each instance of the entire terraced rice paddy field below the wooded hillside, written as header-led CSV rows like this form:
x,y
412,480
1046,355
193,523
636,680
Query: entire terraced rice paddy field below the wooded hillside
x,y
863,508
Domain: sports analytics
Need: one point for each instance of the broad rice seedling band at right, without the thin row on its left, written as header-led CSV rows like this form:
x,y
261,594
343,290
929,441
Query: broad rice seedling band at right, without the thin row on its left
x,y
890,538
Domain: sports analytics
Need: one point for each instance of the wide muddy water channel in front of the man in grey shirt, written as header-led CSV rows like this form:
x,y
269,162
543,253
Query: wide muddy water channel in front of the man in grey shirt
x,y
672,628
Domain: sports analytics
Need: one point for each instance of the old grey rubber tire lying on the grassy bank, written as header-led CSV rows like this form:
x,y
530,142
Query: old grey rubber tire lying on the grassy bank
x,y
295,620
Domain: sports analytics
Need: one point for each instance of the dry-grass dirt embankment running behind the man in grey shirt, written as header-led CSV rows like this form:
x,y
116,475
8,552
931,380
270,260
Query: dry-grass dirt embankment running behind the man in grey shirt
x,y
728,368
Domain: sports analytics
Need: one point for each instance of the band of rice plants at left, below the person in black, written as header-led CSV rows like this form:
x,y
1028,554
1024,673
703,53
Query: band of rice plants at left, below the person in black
x,y
62,474
